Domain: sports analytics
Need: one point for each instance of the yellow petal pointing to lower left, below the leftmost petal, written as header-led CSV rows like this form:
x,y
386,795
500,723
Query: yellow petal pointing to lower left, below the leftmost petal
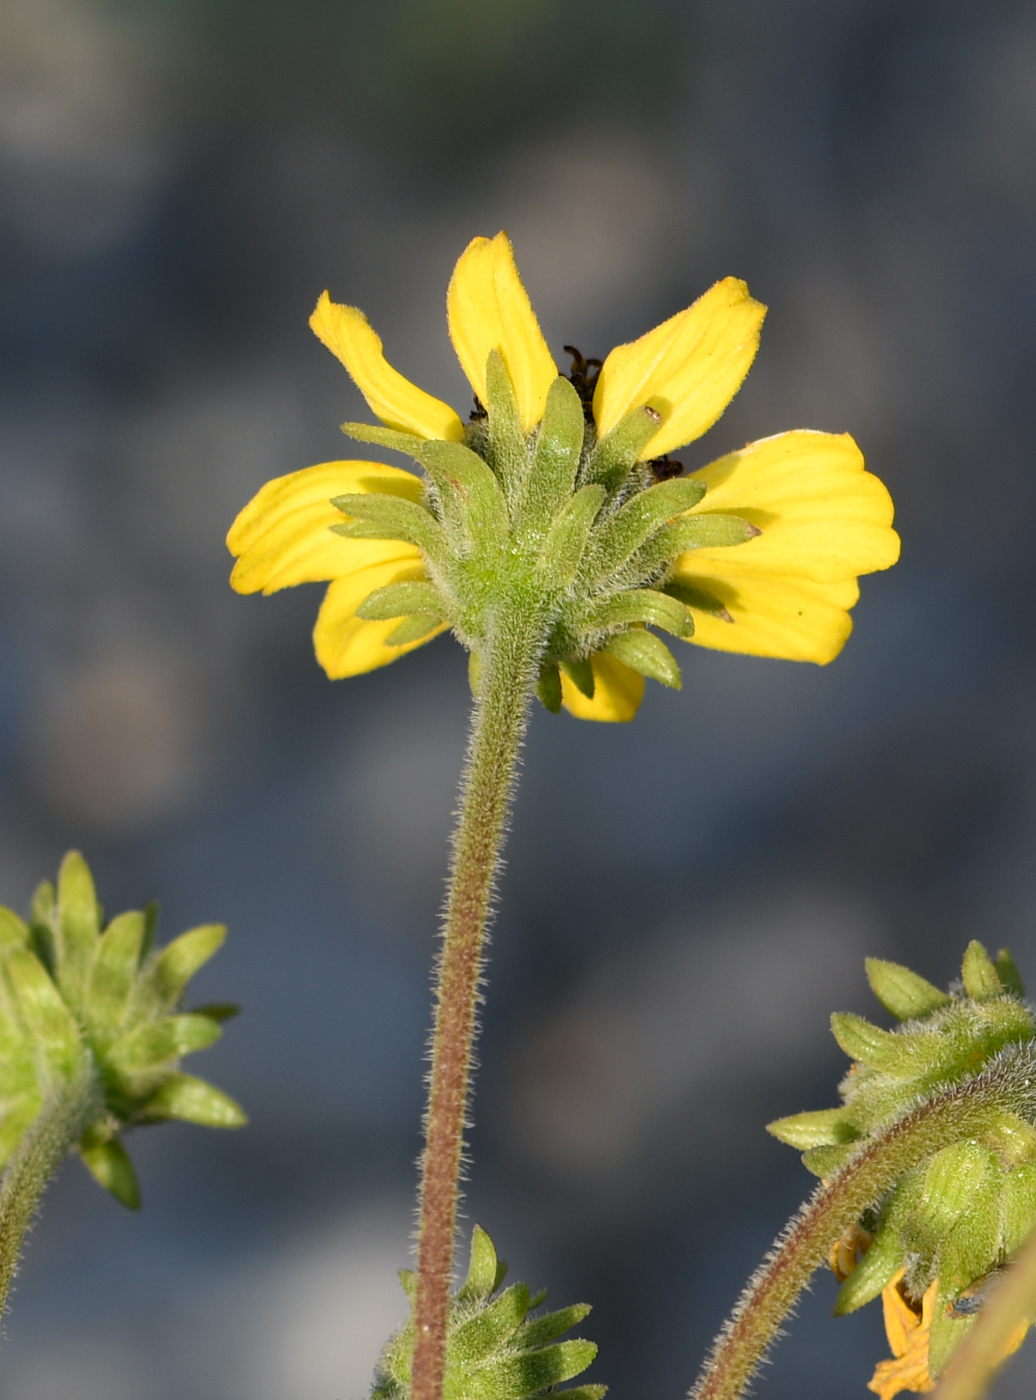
x,y
348,646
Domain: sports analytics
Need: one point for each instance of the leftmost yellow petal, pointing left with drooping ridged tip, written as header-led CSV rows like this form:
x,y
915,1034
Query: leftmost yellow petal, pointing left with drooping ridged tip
x,y
283,535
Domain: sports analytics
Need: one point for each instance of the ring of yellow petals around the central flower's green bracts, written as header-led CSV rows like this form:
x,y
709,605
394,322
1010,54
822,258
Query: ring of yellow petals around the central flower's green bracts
x,y
810,520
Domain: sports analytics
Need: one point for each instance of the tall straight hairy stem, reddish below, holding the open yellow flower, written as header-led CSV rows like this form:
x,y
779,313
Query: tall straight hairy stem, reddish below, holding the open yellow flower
x,y
499,724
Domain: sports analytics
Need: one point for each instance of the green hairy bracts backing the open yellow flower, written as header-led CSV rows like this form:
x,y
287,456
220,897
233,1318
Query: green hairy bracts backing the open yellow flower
x,y
577,531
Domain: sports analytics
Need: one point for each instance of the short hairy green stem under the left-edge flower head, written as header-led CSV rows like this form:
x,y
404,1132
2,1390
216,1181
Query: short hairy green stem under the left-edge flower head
x,y
41,1151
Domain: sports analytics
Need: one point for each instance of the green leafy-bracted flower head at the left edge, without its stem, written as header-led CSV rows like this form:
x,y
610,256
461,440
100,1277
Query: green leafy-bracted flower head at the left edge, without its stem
x,y
73,993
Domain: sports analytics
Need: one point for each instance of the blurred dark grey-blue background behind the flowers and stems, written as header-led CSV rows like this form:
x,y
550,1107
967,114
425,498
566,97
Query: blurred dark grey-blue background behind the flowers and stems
x,y
688,897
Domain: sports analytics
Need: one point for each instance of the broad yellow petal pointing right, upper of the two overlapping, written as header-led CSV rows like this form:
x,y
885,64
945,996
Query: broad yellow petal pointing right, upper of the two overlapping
x,y
821,514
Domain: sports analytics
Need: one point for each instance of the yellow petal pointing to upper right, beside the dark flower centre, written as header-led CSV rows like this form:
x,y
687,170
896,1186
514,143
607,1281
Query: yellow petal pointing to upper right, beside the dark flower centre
x,y
689,367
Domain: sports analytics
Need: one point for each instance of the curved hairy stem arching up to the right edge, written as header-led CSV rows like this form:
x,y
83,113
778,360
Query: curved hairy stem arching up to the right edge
x,y
962,1112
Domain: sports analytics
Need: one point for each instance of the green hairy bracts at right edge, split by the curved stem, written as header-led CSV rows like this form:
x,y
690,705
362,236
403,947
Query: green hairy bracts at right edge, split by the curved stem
x,y
965,1210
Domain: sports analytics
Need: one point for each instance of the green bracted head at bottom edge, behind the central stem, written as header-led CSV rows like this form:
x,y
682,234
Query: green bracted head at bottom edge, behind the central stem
x,y
495,1349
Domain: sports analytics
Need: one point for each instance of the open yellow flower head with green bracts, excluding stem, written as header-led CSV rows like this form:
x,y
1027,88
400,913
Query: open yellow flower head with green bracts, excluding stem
x,y
559,492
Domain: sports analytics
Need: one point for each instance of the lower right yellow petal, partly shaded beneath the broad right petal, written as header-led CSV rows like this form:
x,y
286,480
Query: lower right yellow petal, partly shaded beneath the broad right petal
x,y
775,615
